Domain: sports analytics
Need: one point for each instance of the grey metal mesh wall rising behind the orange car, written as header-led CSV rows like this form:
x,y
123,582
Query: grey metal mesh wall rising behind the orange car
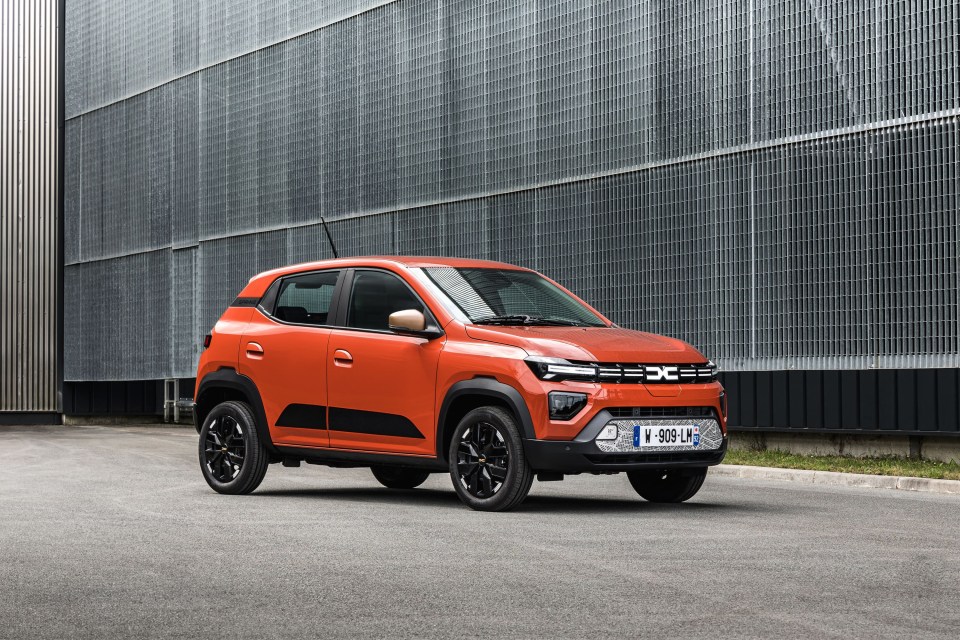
x,y
776,182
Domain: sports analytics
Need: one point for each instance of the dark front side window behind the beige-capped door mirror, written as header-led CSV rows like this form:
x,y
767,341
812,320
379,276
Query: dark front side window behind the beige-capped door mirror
x,y
376,295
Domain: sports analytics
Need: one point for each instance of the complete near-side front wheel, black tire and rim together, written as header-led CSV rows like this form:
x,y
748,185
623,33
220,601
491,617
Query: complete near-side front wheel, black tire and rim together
x,y
500,484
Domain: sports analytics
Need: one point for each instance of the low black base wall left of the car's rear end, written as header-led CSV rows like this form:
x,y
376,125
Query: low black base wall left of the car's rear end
x,y
125,397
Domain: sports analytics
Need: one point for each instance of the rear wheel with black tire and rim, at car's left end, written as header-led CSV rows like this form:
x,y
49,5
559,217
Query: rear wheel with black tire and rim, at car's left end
x,y
233,460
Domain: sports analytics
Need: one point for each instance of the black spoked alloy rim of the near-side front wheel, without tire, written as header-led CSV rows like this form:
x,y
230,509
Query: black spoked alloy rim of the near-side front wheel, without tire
x,y
482,460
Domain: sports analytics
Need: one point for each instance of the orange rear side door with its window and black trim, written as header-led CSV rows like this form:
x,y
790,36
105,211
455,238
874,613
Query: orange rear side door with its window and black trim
x,y
284,351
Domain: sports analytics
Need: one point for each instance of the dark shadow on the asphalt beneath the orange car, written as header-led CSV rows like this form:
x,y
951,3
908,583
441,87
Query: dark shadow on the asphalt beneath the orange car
x,y
533,504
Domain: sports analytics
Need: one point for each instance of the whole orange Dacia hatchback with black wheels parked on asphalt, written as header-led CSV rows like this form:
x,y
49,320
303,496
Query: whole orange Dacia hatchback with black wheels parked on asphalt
x,y
488,371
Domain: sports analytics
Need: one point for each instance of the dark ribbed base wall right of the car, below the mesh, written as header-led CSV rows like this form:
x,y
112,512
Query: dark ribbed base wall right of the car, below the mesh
x,y
901,401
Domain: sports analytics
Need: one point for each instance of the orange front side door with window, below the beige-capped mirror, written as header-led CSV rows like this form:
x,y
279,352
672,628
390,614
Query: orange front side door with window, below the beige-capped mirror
x,y
381,385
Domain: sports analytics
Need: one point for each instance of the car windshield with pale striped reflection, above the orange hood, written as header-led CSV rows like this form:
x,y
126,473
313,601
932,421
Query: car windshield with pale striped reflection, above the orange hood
x,y
502,296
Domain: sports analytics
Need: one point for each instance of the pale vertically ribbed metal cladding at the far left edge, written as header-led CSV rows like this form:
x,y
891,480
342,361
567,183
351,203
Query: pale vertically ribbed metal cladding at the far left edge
x,y
29,375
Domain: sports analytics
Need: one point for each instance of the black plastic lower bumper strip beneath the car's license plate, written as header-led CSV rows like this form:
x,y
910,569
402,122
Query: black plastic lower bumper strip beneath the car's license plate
x,y
571,456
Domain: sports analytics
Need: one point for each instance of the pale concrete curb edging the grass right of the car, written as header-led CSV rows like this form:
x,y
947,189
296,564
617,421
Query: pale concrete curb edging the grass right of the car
x,y
951,487
